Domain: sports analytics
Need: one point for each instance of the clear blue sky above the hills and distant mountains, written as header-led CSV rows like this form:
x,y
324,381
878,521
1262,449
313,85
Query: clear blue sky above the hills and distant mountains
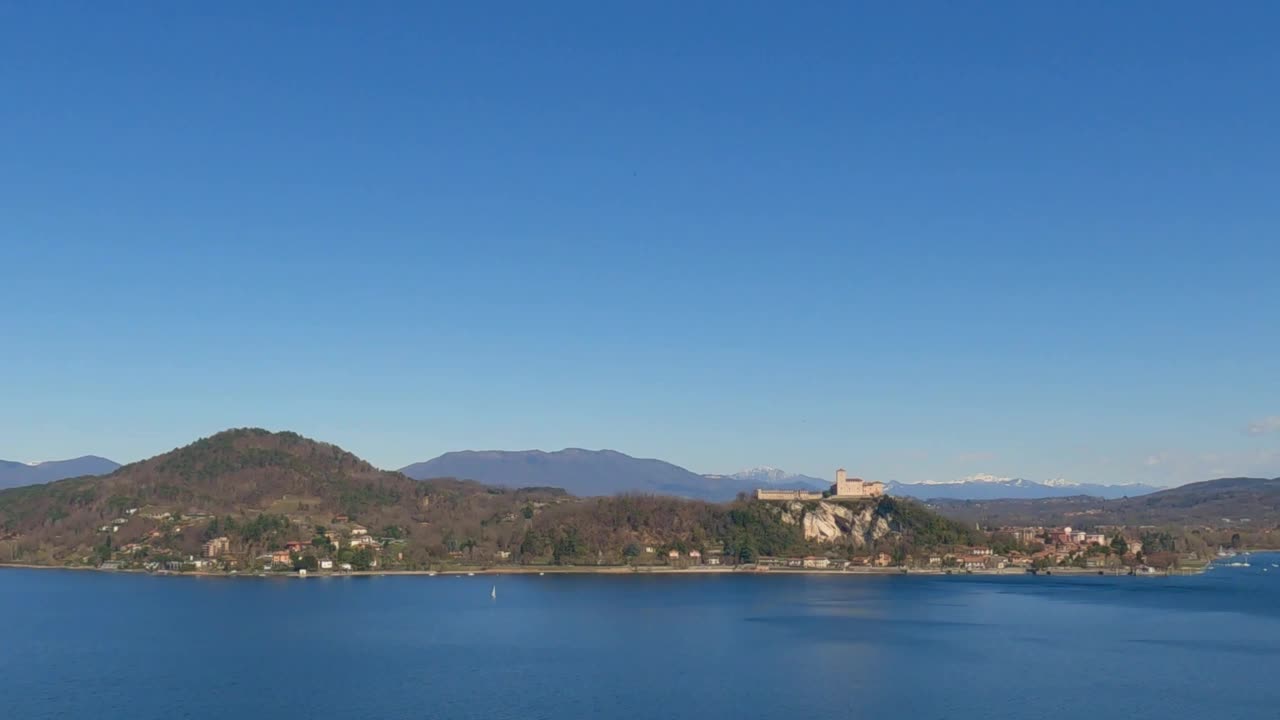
x,y
920,243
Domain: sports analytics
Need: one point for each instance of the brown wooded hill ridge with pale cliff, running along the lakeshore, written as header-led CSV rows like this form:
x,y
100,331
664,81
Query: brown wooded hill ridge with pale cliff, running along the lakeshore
x,y
267,493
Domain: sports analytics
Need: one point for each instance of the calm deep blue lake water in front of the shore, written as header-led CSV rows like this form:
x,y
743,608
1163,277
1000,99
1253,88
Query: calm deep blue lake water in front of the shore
x,y
89,645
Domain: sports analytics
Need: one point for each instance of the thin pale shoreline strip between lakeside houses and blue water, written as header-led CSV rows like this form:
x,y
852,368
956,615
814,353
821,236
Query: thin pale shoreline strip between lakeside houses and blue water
x,y
628,571
